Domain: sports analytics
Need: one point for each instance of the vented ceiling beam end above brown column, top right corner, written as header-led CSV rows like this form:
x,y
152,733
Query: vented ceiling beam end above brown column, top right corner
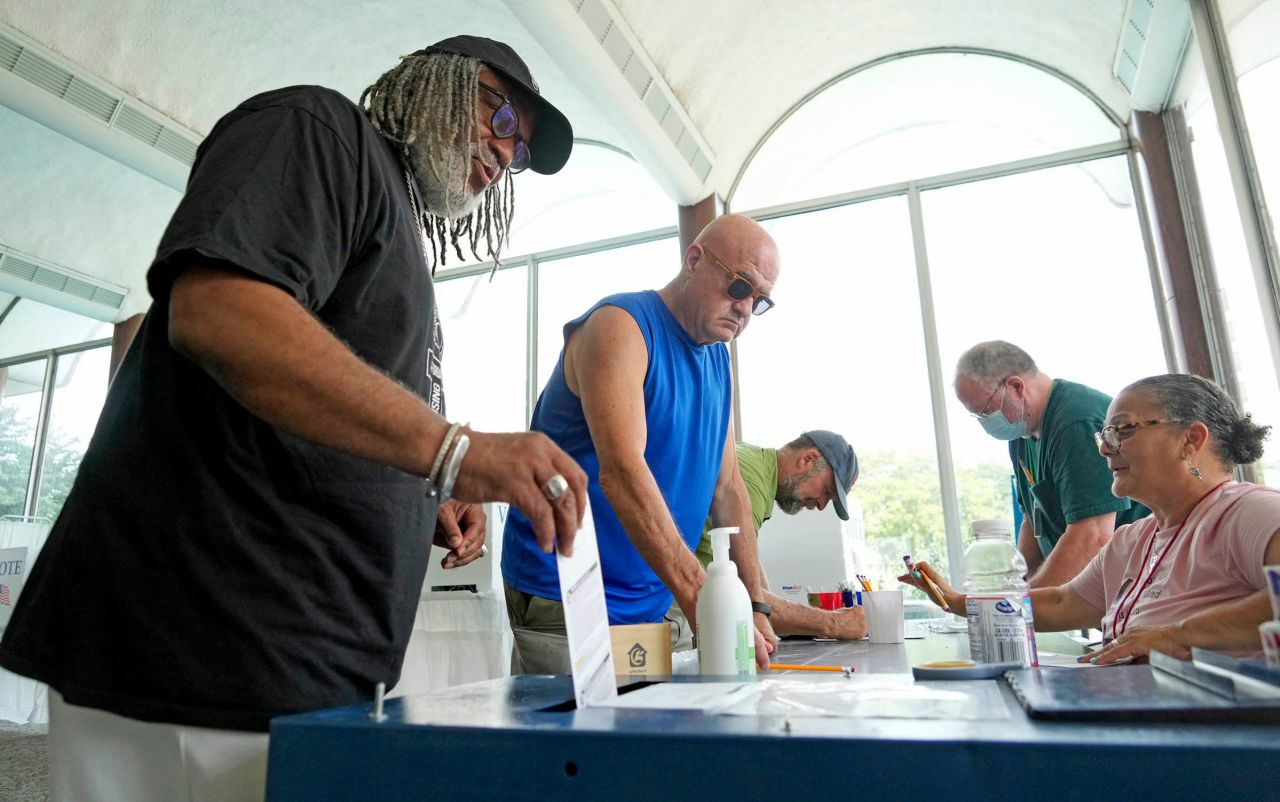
x,y
1153,42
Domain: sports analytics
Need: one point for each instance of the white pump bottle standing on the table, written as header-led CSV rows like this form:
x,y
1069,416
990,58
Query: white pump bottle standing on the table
x,y
726,634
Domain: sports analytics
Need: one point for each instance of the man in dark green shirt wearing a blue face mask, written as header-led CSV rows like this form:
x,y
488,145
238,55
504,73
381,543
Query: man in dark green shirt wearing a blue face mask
x,y
1064,485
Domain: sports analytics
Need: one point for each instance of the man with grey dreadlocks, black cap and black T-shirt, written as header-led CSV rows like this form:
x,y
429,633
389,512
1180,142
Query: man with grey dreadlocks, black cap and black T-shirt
x,y
249,533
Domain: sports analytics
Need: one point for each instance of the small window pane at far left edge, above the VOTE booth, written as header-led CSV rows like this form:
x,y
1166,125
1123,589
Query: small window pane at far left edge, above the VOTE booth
x,y
21,395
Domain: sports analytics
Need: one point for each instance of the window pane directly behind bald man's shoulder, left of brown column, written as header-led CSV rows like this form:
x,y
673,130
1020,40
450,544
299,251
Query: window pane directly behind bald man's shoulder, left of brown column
x,y
569,287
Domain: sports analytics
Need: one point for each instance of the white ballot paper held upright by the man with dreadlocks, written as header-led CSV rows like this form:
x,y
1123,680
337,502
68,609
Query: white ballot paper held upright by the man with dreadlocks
x,y
591,653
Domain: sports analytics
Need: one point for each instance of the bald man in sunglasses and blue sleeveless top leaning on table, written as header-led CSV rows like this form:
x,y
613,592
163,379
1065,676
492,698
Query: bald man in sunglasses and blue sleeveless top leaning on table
x,y
642,400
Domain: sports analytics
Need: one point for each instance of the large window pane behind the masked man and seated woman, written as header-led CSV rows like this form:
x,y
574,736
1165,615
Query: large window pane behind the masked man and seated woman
x,y
1046,262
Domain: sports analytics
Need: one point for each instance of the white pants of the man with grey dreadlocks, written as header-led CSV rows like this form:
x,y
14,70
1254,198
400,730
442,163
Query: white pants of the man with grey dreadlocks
x,y
98,757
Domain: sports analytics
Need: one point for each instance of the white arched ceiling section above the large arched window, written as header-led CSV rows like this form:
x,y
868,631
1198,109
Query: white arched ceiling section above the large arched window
x,y
739,66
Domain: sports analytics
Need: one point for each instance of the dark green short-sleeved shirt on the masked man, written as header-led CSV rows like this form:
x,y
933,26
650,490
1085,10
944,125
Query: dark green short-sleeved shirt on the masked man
x,y
1060,476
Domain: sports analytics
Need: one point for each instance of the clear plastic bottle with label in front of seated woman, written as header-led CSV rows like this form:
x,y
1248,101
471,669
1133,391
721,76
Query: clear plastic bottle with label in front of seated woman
x,y
999,609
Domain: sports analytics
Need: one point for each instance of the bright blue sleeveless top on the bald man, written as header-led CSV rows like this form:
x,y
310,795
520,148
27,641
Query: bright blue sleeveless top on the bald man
x,y
687,400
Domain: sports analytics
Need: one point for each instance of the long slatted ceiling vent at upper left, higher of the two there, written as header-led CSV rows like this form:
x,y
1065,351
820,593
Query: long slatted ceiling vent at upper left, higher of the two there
x,y
94,100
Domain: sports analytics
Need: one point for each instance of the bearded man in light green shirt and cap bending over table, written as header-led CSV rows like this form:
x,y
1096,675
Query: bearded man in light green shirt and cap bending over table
x,y
816,469
